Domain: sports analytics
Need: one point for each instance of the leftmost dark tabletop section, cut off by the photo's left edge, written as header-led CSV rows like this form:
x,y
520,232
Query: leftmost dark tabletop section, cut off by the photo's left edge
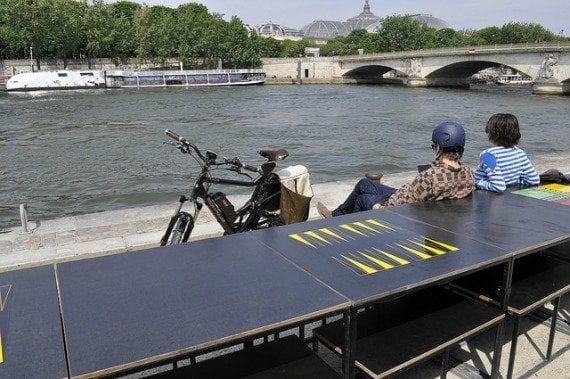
x,y
31,340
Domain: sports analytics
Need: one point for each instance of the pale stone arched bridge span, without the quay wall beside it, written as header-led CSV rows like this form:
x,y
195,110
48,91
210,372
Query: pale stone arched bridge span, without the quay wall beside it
x,y
547,65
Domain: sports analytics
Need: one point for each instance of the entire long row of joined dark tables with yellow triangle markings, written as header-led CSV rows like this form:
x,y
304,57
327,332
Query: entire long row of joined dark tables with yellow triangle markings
x,y
132,310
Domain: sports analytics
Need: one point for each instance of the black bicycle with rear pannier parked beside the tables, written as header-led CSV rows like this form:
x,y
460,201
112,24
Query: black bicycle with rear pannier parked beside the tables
x,y
261,210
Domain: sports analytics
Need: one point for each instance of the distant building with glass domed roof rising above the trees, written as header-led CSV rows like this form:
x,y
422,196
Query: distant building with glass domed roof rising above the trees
x,y
324,30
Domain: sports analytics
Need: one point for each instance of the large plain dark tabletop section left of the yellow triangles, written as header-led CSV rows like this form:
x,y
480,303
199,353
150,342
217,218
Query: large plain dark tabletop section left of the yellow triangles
x,y
135,308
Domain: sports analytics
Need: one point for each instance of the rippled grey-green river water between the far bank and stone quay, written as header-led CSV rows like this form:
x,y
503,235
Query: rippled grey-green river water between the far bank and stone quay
x,y
80,152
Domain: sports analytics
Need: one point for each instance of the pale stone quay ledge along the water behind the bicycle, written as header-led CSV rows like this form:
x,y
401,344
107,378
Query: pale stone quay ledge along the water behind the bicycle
x,y
133,229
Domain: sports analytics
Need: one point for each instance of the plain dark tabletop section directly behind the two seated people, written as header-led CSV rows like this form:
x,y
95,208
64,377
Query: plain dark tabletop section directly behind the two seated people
x,y
517,223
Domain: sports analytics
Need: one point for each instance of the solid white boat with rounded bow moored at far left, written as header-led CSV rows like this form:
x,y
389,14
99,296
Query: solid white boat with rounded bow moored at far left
x,y
56,80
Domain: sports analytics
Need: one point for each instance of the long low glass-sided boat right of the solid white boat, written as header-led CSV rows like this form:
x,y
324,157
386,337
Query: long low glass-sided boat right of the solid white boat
x,y
184,78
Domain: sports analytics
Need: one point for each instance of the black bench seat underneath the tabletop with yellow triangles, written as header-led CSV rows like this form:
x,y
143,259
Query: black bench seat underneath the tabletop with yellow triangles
x,y
390,341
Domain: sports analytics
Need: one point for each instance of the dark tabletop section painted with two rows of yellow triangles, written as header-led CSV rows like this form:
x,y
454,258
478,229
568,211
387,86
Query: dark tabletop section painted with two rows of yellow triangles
x,y
371,255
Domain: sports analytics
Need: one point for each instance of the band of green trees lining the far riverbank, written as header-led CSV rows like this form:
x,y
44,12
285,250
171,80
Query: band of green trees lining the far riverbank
x,y
64,29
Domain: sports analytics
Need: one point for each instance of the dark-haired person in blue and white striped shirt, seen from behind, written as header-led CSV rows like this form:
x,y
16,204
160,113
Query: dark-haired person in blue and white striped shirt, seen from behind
x,y
504,164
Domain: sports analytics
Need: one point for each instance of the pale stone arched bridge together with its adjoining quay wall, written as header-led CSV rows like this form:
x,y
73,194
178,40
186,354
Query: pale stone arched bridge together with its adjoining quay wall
x,y
548,64
